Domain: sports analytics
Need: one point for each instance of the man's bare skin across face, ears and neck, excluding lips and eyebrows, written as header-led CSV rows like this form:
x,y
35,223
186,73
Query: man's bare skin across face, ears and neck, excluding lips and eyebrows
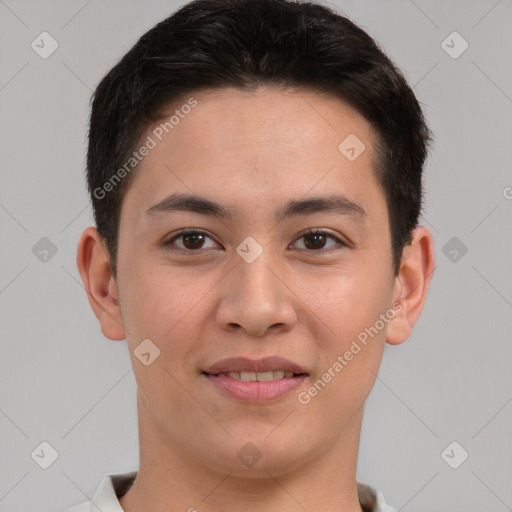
x,y
253,152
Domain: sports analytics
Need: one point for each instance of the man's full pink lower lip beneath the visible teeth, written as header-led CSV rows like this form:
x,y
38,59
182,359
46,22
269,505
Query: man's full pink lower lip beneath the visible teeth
x,y
255,391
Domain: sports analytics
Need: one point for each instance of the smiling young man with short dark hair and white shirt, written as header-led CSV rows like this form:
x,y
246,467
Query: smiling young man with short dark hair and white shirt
x,y
255,172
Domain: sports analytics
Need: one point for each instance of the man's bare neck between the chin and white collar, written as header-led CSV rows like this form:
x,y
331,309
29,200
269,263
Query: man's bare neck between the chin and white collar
x,y
169,479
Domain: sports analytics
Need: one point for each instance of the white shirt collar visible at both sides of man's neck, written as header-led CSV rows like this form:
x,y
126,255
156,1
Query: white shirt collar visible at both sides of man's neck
x,y
112,487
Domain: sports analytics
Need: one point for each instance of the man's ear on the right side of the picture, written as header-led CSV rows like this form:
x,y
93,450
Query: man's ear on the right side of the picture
x,y
411,285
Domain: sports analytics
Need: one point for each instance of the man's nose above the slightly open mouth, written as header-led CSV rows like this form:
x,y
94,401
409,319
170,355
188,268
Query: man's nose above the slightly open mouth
x,y
257,298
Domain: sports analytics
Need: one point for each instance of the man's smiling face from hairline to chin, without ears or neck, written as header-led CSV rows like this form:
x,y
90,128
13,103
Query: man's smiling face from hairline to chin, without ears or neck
x,y
253,283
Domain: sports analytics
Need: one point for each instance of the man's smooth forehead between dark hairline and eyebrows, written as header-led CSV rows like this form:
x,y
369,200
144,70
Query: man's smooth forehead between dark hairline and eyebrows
x,y
264,145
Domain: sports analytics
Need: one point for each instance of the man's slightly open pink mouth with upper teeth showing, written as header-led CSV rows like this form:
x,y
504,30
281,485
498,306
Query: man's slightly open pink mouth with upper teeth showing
x,y
255,380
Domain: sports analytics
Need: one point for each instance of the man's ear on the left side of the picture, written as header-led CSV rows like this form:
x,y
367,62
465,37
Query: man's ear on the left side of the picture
x,y
93,263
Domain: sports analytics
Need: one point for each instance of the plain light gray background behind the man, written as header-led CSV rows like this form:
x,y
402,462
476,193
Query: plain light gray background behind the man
x,y
62,382
